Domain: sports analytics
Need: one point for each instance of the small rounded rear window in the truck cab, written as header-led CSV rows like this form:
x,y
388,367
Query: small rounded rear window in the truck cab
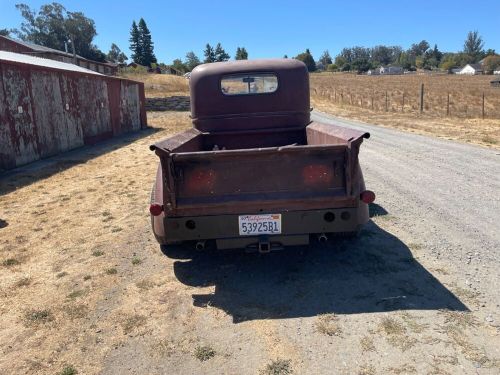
x,y
249,84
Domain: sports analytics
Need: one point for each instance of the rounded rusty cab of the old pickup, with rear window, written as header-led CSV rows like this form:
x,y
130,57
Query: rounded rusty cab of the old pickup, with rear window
x,y
277,95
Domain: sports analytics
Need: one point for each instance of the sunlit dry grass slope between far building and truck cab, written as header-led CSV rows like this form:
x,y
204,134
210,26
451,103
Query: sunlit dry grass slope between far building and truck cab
x,y
160,85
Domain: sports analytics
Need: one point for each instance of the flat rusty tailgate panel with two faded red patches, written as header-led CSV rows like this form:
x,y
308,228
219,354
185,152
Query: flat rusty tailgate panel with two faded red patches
x,y
259,175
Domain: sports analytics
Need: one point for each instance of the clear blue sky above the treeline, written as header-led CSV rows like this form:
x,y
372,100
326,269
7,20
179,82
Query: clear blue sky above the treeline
x,y
274,28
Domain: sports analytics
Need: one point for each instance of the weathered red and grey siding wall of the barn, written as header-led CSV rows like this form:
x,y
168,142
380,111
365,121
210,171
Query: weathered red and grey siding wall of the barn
x,y
46,111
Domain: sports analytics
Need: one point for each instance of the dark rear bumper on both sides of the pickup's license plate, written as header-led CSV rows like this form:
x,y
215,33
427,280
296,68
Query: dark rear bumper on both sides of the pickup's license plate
x,y
294,223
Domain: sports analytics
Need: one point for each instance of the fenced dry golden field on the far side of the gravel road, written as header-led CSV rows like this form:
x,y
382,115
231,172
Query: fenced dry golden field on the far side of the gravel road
x,y
351,96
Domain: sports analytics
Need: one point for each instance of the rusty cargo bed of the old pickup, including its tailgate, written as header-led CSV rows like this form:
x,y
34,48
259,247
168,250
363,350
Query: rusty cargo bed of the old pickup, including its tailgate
x,y
250,172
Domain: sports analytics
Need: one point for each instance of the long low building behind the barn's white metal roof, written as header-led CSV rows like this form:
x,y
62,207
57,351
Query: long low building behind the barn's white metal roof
x,y
25,48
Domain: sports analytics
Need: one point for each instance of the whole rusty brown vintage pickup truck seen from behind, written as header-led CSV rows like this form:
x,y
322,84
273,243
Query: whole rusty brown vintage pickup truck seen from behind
x,y
254,172
